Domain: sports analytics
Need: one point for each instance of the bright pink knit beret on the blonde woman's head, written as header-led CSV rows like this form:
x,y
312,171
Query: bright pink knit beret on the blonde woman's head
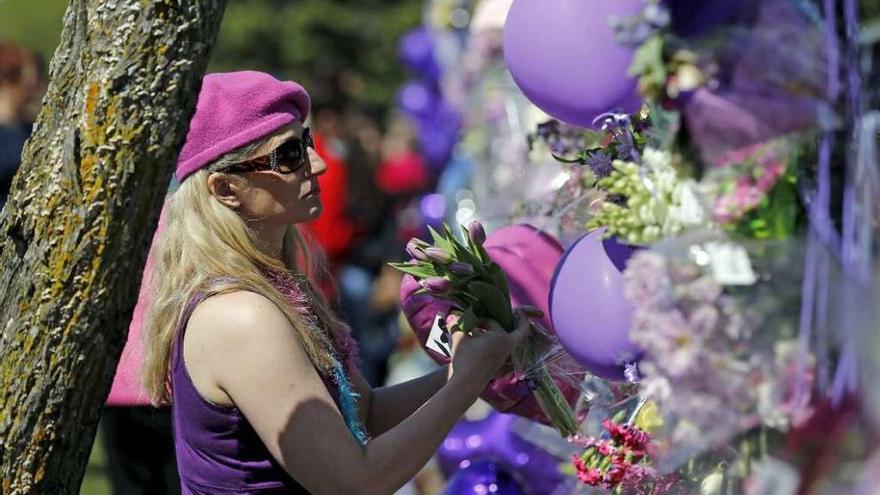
x,y
234,109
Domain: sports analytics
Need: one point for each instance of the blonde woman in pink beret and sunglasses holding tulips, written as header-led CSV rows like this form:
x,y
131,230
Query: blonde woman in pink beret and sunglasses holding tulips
x,y
261,376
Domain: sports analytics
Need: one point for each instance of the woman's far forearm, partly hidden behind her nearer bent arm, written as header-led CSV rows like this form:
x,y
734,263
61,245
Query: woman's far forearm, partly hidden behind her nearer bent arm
x,y
385,407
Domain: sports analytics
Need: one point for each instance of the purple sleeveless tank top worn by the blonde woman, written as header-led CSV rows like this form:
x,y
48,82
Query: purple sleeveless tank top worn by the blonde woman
x,y
218,452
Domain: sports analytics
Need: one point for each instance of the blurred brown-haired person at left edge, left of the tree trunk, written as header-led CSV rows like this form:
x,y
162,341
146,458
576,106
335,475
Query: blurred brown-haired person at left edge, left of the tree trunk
x,y
21,88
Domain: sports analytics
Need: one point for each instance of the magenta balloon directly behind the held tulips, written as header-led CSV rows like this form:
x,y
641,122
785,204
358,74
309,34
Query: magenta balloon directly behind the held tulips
x,y
528,258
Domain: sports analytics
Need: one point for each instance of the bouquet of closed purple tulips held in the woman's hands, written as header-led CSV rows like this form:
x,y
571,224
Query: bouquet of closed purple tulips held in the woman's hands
x,y
463,273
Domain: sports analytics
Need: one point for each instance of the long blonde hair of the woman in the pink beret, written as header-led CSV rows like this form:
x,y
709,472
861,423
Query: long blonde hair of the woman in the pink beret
x,y
208,248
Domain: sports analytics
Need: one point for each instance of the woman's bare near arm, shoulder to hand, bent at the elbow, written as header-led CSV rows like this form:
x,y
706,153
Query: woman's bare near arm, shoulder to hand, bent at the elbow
x,y
253,355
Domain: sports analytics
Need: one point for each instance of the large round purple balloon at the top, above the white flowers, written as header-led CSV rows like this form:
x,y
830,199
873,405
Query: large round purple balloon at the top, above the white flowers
x,y
565,59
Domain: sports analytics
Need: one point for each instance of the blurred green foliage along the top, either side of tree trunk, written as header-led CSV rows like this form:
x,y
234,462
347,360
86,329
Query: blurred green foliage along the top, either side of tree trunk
x,y
341,51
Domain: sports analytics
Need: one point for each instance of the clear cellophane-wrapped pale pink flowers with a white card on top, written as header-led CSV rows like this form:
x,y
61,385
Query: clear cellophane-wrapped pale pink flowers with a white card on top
x,y
722,361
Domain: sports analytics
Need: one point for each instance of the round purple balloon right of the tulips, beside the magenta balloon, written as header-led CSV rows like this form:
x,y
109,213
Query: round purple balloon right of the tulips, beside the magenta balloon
x,y
590,314
